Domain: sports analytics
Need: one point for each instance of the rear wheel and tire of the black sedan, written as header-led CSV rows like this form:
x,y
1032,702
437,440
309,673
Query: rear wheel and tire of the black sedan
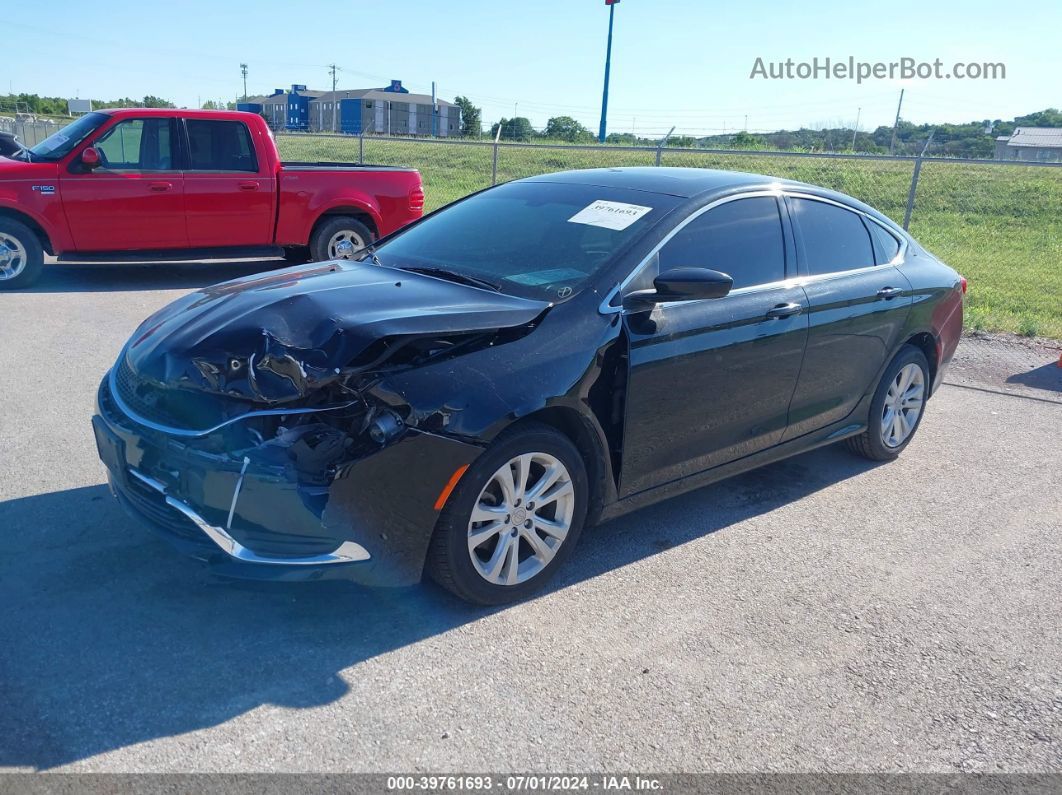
x,y
897,409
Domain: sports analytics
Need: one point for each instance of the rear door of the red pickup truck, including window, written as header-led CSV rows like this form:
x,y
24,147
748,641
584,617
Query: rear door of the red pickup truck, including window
x,y
229,194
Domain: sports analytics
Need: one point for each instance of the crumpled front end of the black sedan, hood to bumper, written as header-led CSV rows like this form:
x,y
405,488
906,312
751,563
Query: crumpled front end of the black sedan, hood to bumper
x,y
265,447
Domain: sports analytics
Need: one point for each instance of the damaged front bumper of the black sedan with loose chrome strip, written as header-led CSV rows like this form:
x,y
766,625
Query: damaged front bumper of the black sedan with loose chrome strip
x,y
253,519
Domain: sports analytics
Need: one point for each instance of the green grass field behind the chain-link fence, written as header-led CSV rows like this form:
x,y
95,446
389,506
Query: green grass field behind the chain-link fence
x,y
1001,227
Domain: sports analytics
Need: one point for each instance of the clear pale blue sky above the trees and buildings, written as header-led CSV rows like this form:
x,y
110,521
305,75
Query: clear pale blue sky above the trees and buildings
x,y
675,62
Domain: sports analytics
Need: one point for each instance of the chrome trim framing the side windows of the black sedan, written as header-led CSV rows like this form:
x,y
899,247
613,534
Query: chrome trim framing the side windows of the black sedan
x,y
798,281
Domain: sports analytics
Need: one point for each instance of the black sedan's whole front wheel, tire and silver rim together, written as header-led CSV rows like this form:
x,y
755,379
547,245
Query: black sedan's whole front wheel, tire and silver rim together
x,y
513,520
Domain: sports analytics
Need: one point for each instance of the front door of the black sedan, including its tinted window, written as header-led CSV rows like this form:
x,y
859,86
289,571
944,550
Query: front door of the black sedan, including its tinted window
x,y
711,381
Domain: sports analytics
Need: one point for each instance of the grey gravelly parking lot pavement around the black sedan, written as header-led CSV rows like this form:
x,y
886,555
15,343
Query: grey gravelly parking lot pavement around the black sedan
x,y
825,614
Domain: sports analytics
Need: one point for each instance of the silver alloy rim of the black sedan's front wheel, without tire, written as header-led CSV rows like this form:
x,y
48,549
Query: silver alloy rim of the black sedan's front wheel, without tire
x,y
521,519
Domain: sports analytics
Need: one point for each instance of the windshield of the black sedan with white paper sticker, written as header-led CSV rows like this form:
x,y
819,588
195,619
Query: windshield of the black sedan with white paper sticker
x,y
538,240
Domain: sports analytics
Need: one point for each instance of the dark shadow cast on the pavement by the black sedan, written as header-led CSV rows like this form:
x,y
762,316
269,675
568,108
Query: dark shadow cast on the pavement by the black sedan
x,y
109,638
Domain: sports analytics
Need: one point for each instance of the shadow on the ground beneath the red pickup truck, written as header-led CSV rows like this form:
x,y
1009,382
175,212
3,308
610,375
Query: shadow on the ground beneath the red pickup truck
x,y
108,278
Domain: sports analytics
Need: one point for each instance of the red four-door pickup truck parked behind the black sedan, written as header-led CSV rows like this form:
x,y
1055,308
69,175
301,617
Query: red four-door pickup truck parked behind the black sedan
x,y
163,184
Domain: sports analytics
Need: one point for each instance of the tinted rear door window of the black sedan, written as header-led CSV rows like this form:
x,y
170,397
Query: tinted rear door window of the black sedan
x,y
835,239
